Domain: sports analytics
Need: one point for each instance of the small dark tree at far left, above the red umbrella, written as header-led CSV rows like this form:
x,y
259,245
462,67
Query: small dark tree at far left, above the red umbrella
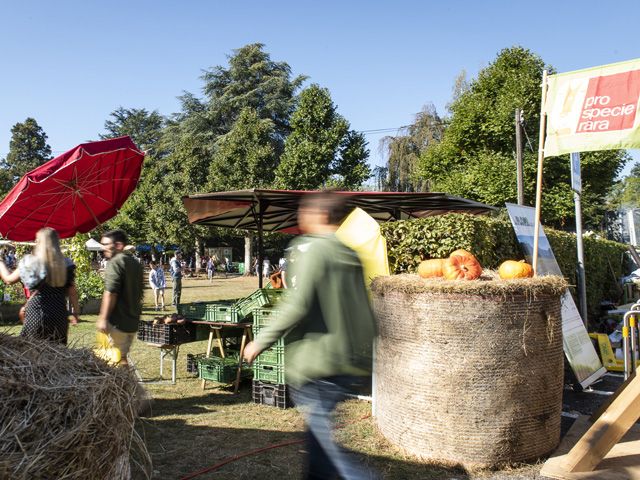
x,y
28,149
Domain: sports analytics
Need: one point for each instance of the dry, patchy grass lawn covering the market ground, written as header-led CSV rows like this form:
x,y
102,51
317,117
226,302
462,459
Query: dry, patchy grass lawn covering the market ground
x,y
191,429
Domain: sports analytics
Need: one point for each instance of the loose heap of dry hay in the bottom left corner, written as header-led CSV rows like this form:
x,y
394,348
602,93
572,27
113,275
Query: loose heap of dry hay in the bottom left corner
x,y
65,414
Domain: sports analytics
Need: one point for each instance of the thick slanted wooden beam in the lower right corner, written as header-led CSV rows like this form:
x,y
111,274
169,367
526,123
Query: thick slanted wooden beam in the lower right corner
x,y
606,431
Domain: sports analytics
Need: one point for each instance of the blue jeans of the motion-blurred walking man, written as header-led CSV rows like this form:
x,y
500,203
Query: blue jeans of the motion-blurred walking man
x,y
326,459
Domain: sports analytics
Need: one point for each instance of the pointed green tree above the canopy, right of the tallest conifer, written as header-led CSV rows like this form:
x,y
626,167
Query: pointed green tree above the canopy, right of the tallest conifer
x,y
321,145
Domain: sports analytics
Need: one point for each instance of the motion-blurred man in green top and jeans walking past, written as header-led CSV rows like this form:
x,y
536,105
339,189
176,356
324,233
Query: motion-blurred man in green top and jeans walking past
x,y
330,330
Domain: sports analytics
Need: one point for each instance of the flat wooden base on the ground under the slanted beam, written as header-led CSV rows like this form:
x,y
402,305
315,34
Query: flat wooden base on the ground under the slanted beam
x,y
621,463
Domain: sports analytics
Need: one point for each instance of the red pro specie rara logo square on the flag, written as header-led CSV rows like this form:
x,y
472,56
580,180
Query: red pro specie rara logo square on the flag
x,y
611,103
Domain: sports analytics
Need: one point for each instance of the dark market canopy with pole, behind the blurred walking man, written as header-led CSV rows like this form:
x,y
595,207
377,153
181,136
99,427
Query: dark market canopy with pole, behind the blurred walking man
x,y
276,210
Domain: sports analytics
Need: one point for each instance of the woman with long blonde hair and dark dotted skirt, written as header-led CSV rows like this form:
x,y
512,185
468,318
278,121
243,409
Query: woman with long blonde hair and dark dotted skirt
x,y
49,278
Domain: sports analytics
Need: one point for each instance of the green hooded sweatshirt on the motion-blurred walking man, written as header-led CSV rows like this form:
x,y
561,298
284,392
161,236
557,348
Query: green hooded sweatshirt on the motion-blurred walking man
x,y
327,317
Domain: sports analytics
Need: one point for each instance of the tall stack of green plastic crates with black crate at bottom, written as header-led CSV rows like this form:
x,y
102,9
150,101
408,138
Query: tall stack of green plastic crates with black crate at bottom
x,y
269,381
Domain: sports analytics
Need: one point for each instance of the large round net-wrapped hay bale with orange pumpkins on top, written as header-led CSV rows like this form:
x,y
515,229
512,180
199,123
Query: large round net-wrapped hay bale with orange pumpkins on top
x,y
469,372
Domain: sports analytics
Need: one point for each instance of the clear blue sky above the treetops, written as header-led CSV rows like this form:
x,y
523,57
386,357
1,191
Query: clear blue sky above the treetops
x,y
69,64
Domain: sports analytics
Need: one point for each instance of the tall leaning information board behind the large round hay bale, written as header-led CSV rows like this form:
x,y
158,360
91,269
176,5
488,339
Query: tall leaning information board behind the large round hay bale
x,y
577,345
